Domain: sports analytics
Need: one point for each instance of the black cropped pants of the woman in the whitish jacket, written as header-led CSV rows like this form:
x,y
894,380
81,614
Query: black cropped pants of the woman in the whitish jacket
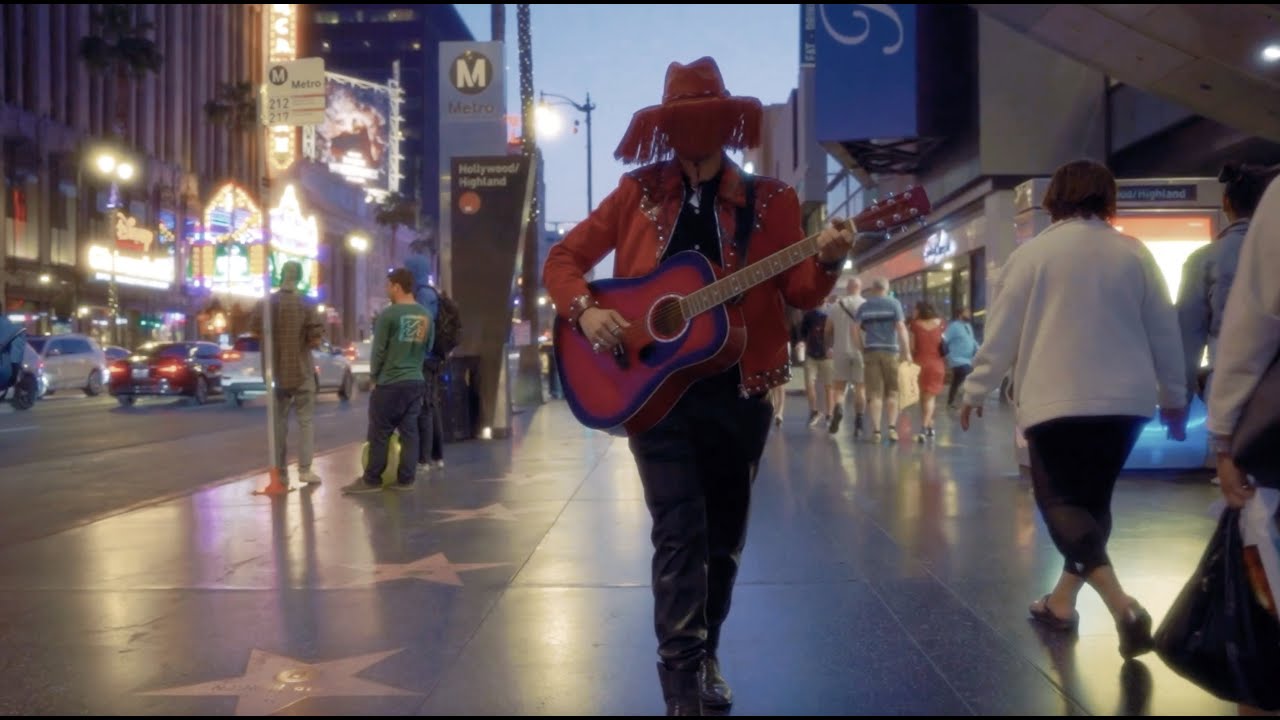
x,y
1076,463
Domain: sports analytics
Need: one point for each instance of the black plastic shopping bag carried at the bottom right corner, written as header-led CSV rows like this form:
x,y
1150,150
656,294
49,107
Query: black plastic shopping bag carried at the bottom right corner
x,y
1217,635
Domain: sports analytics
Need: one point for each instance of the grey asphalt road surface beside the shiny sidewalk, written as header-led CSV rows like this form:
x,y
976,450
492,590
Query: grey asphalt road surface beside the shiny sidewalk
x,y
72,459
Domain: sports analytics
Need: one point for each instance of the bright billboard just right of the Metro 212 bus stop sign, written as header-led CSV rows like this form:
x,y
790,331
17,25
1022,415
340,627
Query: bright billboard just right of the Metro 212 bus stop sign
x,y
360,136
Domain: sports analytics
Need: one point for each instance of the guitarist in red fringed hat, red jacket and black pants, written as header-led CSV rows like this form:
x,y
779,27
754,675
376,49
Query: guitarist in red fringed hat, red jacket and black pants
x,y
698,464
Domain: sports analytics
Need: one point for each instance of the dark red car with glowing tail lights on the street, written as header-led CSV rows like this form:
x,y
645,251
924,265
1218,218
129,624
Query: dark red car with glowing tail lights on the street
x,y
191,370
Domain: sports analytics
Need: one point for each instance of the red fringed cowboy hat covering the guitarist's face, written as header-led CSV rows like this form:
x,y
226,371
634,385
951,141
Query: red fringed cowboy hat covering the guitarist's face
x,y
697,119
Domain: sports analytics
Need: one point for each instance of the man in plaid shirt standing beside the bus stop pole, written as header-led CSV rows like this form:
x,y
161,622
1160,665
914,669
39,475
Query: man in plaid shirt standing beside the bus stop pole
x,y
296,332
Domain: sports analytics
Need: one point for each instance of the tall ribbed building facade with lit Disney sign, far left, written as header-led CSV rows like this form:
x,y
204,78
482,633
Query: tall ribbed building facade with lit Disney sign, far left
x,y
68,227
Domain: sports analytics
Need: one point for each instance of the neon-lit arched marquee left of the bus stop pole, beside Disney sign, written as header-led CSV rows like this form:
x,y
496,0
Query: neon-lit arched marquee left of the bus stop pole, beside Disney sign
x,y
228,256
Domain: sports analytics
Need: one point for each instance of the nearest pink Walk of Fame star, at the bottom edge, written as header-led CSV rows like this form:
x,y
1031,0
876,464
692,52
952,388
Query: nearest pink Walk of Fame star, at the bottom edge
x,y
273,682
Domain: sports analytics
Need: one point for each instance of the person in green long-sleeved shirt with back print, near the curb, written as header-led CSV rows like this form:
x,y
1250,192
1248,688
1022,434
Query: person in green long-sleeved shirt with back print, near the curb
x,y
396,370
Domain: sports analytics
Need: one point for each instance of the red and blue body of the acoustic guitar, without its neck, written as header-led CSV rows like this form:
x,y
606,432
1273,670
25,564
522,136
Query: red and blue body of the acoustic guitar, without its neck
x,y
661,354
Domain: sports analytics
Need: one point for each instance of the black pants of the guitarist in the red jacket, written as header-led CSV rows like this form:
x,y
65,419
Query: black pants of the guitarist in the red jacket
x,y
698,466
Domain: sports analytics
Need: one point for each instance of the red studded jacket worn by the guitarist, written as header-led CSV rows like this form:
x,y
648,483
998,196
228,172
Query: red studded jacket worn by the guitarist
x,y
637,221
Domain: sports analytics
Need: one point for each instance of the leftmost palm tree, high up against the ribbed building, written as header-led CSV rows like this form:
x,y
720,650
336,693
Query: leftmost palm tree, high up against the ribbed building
x,y
120,45
